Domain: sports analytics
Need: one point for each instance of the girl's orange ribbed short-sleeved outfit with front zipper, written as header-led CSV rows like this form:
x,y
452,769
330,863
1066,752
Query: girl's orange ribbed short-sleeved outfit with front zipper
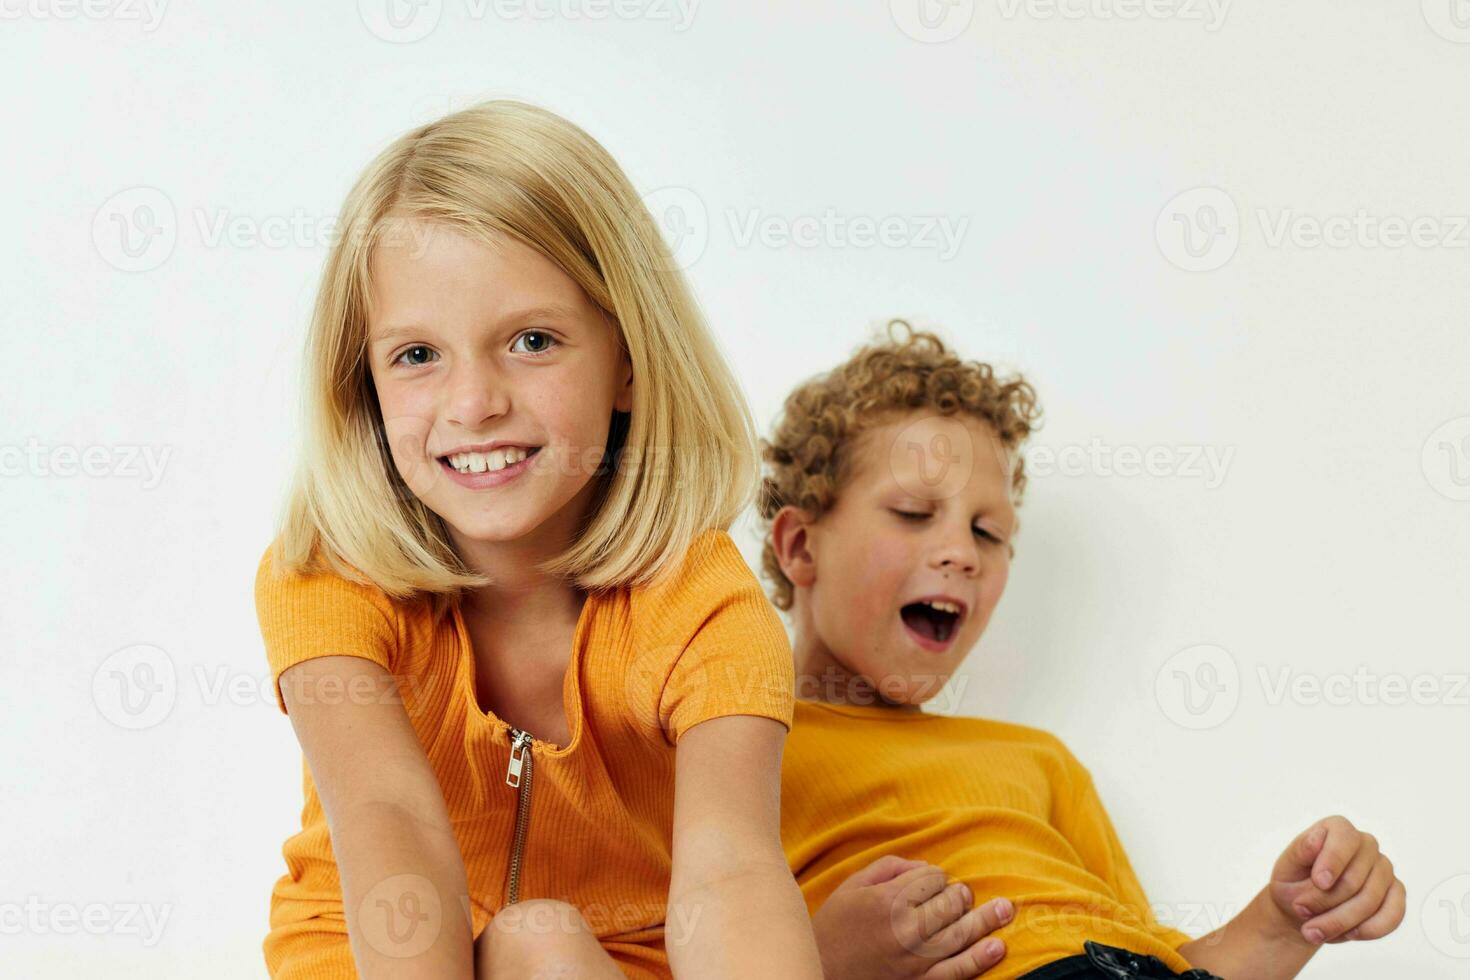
x,y
646,666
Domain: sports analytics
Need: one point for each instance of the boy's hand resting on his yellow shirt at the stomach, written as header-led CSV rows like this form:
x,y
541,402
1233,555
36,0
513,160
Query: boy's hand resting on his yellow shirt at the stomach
x,y
896,920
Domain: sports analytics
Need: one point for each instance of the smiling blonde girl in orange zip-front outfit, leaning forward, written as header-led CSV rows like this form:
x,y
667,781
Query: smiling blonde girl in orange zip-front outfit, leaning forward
x,y
542,699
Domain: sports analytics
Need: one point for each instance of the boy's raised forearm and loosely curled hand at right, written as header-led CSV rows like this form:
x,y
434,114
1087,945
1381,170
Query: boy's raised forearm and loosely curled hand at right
x,y
1331,885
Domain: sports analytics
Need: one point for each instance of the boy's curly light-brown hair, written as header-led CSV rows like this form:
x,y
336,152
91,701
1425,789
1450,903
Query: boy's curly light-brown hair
x,y
825,418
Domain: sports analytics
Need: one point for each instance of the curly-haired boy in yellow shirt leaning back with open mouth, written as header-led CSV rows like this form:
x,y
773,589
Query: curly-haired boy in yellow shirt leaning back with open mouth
x,y
892,508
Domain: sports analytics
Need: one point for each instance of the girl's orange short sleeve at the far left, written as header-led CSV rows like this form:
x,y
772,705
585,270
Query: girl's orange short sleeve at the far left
x,y
306,616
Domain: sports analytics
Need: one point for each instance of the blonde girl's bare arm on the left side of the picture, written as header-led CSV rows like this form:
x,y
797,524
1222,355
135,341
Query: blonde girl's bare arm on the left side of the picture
x,y
405,894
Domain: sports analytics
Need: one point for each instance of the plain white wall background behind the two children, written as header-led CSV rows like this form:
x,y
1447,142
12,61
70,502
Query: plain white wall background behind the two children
x,y
1333,546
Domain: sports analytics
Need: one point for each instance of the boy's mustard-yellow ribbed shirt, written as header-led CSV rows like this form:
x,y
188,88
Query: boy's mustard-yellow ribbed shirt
x,y
1002,807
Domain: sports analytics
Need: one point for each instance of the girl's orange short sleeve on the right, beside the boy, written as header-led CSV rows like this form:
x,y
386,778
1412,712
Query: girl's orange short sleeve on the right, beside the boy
x,y
730,649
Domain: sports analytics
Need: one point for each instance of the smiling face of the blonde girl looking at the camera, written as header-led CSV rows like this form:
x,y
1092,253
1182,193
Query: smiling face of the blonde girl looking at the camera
x,y
477,350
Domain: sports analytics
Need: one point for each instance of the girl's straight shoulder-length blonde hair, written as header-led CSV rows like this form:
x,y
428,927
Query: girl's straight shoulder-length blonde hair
x,y
683,462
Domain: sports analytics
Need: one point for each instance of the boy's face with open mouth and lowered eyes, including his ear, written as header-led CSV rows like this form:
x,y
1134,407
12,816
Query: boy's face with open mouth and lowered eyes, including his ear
x,y
927,515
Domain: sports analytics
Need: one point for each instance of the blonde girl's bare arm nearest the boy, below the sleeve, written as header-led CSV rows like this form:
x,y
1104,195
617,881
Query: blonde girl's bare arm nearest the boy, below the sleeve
x,y
734,907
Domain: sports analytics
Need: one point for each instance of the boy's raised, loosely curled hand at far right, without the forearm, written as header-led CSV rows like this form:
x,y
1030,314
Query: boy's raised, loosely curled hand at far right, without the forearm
x,y
1333,885
